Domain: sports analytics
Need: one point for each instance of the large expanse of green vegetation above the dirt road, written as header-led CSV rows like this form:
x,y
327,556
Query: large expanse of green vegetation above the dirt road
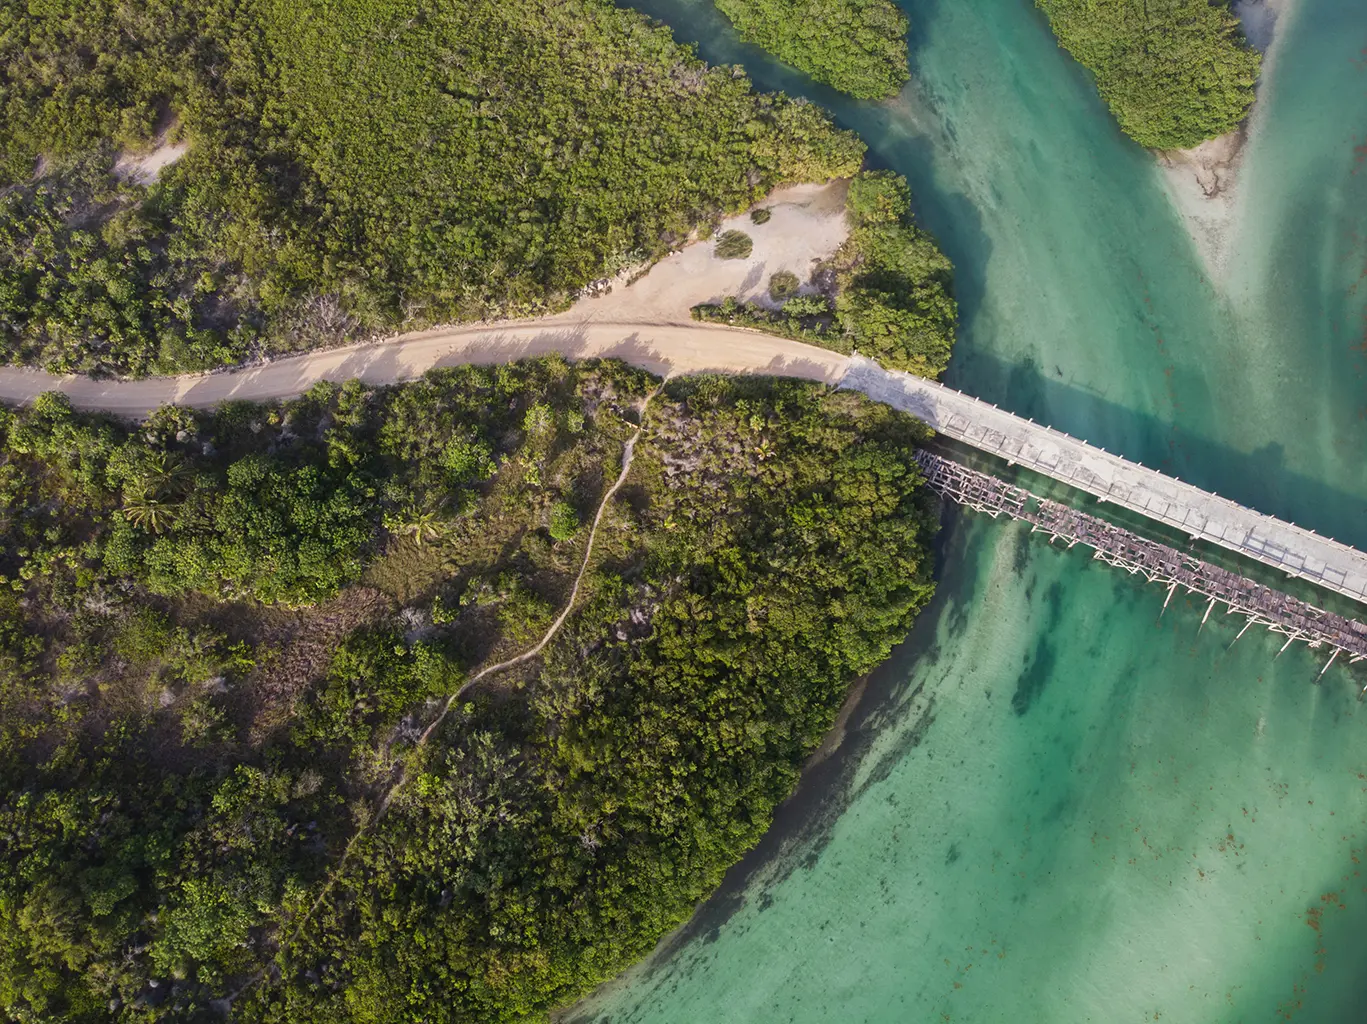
x,y
353,169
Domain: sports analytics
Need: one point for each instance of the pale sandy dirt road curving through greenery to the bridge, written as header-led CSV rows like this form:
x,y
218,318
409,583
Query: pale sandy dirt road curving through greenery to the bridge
x,y
660,349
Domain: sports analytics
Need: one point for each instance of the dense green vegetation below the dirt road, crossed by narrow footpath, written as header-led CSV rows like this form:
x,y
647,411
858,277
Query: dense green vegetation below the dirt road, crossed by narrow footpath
x,y
224,636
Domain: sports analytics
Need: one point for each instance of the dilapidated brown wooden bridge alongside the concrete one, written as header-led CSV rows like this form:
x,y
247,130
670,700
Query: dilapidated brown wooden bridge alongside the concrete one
x,y
1160,564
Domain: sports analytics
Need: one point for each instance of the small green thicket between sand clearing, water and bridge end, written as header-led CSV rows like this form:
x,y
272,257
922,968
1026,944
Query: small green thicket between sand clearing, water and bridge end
x,y
889,289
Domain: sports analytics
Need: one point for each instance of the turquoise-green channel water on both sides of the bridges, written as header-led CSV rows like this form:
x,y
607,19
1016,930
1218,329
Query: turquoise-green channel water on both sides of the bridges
x,y
1056,805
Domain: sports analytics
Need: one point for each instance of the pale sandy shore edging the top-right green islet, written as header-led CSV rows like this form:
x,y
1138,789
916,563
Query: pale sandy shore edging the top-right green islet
x,y
1204,181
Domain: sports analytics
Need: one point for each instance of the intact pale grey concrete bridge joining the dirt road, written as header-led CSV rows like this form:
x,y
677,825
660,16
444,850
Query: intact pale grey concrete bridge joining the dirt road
x,y
1291,549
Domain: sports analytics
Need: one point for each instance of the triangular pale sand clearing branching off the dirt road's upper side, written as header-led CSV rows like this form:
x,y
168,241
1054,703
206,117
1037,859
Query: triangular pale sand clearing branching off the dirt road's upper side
x,y
806,228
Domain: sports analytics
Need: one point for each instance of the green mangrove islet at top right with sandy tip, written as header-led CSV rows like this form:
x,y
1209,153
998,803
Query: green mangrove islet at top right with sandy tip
x,y
1175,73
